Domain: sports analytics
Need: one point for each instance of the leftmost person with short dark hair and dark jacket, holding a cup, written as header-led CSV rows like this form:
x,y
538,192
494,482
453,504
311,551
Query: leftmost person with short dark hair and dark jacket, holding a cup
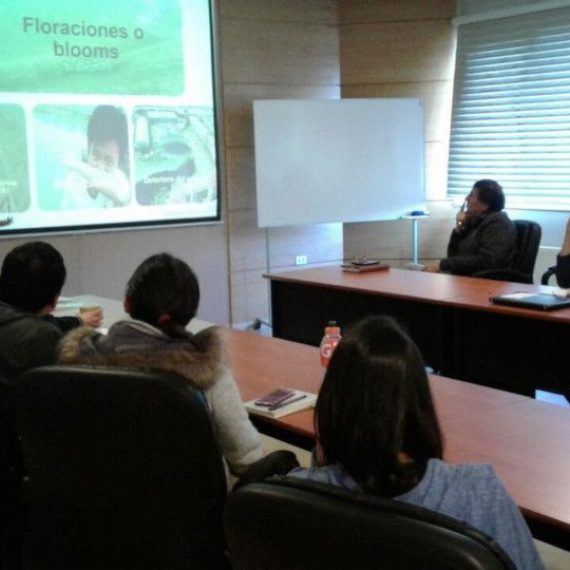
x,y
31,280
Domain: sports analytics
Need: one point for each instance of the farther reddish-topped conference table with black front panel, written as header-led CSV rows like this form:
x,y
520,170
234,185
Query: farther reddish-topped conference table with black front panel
x,y
459,331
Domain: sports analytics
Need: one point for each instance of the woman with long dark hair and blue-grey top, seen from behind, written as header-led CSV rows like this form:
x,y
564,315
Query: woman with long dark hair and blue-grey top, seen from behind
x,y
378,432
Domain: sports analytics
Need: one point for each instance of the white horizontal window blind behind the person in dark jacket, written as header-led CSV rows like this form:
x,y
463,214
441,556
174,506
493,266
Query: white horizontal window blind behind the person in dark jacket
x,y
511,108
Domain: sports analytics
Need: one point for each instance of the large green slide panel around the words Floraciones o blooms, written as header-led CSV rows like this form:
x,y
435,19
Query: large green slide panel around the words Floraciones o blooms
x,y
150,66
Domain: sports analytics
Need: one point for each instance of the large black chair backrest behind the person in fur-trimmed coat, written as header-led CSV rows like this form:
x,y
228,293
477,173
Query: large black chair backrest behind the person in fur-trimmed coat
x,y
123,471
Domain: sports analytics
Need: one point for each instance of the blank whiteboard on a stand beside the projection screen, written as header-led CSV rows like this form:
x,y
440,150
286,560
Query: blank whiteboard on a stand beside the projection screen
x,y
340,160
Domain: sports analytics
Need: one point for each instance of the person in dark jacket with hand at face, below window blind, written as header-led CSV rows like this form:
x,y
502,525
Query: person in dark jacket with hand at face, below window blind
x,y
484,237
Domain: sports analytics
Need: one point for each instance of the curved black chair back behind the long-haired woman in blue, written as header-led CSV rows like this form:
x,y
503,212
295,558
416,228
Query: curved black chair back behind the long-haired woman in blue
x,y
290,524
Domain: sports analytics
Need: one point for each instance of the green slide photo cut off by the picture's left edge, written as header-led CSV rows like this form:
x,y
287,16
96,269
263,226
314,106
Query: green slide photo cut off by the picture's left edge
x,y
14,183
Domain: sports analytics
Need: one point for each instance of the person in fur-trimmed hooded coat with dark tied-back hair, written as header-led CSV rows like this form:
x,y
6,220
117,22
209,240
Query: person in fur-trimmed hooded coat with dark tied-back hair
x,y
162,297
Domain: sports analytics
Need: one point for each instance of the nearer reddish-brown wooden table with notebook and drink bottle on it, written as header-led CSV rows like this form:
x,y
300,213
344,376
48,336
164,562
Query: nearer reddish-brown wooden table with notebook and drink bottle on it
x,y
526,441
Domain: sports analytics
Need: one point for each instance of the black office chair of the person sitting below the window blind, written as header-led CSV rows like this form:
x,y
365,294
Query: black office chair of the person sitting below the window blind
x,y
528,241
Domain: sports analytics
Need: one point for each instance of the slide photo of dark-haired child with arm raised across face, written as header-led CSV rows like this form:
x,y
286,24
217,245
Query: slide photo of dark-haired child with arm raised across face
x,y
83,161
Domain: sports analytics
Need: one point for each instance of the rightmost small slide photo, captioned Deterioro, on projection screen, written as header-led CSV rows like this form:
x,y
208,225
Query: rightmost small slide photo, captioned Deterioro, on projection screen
x,y
175,155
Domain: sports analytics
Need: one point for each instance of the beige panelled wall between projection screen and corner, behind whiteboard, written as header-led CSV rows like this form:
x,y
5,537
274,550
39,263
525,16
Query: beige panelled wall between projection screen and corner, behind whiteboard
x,y
270,49
